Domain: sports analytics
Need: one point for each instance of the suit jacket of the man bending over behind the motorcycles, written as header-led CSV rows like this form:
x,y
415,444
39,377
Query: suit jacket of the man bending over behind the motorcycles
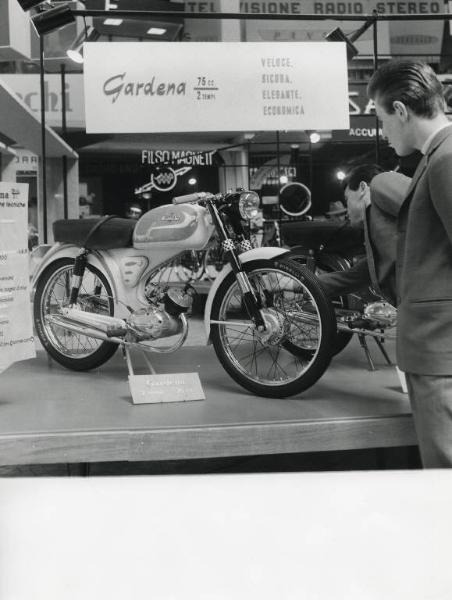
x,y
377,268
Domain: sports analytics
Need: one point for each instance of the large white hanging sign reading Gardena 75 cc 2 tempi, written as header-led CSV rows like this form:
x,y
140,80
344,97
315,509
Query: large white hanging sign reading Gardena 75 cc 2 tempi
x,y
227,86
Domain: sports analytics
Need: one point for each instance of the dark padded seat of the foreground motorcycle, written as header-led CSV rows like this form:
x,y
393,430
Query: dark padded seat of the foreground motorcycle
x,y
114,233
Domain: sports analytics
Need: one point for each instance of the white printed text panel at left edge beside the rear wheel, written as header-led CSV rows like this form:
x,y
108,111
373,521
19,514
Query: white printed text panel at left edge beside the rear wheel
x,y
16,329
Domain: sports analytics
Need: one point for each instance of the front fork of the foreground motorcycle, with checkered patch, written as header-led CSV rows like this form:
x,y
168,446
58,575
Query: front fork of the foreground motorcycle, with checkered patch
x,y
252,303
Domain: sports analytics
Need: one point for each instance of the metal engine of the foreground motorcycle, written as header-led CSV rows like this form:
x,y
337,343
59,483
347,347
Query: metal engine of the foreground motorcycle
x,y
163,319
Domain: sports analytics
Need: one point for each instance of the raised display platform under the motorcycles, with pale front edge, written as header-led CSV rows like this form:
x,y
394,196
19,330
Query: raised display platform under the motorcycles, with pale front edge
x,y
51,415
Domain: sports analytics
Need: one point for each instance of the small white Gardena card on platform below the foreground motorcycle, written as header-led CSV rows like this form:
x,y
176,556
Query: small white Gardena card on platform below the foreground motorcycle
x,y
168,387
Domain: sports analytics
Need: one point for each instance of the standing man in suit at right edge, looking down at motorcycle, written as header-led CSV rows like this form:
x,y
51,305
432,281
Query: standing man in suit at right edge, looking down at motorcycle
x,y
410,105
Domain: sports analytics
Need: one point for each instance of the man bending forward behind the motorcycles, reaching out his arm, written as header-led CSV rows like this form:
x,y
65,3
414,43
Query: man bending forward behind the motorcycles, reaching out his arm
x,y
373,201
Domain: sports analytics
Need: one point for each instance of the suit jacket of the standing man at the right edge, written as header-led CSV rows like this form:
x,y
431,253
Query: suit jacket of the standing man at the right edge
x,y
424,264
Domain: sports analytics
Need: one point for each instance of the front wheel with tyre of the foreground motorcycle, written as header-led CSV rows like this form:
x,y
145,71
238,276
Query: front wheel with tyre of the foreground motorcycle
x,y
294,350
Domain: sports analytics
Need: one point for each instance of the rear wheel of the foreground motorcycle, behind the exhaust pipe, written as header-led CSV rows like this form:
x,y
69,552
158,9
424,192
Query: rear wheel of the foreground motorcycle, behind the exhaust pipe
x,y
71,350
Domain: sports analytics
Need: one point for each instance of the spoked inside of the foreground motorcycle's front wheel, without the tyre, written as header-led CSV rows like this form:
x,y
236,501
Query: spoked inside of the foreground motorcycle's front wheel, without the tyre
x,y
273,357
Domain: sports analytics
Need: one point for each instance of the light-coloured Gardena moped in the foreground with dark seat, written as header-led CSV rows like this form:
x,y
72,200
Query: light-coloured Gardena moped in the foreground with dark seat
x,y
105,283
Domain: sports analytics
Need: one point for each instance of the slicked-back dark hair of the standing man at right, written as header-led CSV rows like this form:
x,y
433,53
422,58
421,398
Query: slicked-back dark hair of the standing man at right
x,y
410,81
